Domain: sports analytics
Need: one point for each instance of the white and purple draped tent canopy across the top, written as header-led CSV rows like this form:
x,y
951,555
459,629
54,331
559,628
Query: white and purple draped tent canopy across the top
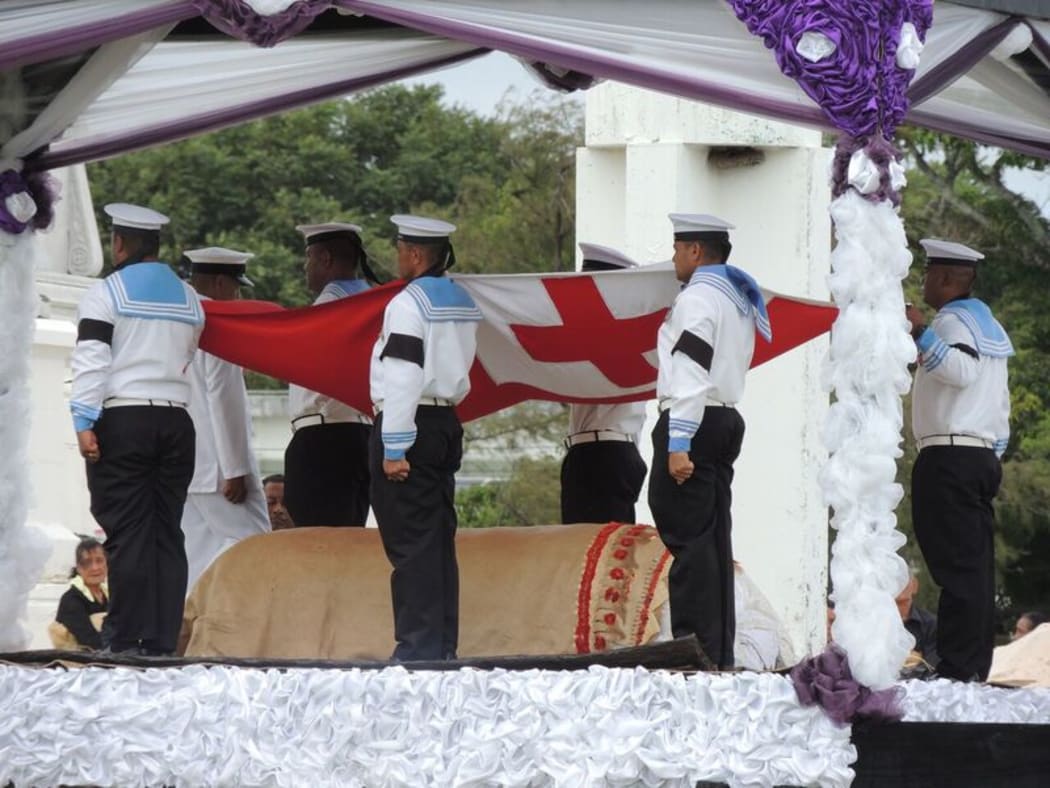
x,y
88,79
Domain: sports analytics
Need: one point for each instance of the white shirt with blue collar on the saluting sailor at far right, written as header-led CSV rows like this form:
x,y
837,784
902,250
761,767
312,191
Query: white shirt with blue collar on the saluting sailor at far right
x,y
961,385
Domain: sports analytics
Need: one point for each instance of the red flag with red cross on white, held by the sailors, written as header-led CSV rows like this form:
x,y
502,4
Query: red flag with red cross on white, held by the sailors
x,y
569,338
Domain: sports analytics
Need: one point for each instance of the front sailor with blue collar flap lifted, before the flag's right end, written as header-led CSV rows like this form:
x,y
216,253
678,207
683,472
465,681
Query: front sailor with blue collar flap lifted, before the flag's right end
x,y
705,349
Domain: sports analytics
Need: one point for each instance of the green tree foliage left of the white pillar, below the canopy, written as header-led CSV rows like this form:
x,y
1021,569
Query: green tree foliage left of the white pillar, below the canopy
x,y
508,182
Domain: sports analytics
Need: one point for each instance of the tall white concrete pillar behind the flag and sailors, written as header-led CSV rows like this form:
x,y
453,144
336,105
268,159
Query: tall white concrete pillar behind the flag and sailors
x,y
649,155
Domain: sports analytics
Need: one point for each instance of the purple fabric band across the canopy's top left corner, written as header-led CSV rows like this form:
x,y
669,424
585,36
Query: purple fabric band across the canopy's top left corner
x,y
73,40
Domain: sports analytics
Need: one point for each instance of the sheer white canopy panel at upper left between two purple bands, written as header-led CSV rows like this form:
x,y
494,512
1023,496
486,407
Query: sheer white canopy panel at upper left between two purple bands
x,y
174,93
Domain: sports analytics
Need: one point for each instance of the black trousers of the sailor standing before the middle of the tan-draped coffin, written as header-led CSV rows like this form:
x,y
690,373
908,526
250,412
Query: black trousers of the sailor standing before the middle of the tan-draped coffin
x,y
417,523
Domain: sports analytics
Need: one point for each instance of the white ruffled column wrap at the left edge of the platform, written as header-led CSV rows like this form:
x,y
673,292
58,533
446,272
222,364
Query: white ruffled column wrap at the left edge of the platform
x,y
24,550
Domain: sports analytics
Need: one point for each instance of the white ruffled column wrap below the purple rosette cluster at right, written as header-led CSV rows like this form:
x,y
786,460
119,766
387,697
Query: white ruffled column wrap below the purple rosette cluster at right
x,y
868,372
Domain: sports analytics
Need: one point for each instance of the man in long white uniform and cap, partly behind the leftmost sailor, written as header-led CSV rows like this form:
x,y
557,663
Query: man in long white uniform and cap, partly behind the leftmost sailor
x,y
226,502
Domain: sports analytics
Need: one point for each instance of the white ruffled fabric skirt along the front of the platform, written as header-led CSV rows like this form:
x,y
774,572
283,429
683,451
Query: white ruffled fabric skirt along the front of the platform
x,y
230,727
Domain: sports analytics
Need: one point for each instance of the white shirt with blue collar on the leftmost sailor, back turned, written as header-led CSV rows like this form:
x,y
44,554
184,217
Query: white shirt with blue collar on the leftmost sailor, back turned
x,y
137,333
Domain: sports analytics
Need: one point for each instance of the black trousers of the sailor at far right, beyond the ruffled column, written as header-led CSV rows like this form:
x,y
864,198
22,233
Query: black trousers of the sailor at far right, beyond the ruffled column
x,y
953,490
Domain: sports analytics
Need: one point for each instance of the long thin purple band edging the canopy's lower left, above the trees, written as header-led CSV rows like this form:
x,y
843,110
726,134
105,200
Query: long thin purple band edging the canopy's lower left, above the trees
x,y
229,117
